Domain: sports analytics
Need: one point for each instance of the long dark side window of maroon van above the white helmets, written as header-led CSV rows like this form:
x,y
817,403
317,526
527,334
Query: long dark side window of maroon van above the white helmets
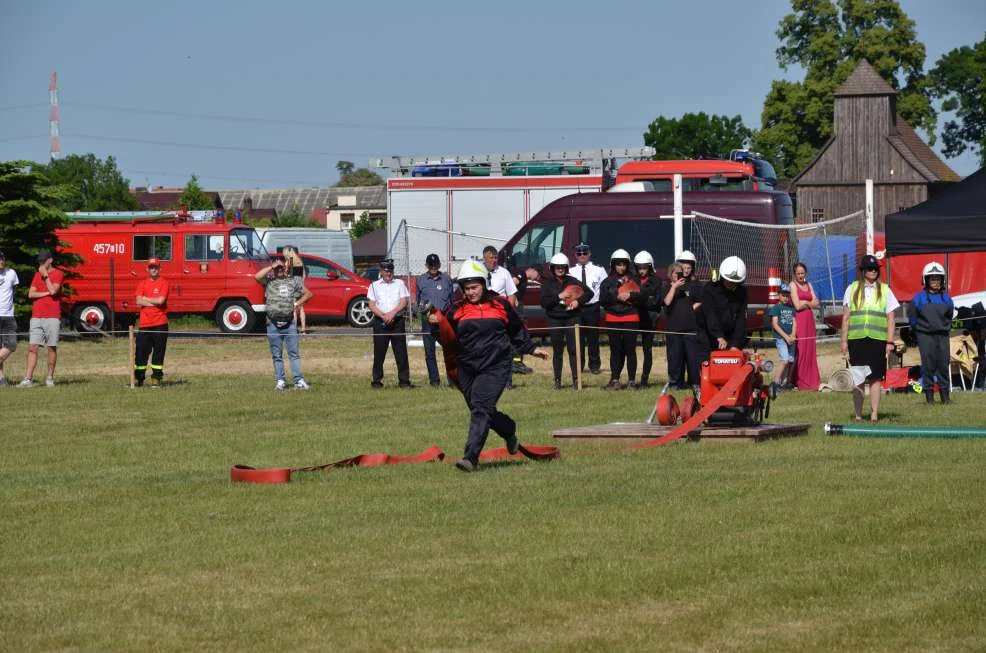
x,y
656,235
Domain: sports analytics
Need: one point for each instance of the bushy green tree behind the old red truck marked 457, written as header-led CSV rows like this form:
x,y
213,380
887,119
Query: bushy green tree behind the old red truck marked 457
x,y
90,184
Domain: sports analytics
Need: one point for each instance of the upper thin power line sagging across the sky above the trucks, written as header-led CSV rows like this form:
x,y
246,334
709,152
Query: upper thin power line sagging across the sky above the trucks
x,y
342,125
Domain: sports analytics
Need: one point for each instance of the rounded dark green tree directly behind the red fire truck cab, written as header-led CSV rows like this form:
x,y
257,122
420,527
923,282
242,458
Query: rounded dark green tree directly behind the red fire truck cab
x,y
696,136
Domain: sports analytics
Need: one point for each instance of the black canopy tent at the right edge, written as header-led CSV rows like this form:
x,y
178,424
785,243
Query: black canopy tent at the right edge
x,y
952,221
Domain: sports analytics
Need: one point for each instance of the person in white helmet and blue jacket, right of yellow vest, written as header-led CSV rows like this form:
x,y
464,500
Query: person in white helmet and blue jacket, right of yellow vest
x,y
931,321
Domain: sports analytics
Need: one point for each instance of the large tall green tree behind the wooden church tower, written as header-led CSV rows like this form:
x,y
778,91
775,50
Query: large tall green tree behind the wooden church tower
x,y
827,39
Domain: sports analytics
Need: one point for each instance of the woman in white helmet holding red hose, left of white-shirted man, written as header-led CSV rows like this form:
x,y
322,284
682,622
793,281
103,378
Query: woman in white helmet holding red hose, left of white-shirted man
x,y
562,313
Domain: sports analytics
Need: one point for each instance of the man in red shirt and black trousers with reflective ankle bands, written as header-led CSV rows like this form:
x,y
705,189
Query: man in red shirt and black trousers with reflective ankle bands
x,y
152,339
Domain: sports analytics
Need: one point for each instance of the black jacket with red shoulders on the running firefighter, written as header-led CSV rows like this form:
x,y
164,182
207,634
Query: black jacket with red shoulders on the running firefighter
x,y
487,332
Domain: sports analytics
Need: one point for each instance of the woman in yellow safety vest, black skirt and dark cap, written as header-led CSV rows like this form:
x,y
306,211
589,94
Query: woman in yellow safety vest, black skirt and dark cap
x,y
868,330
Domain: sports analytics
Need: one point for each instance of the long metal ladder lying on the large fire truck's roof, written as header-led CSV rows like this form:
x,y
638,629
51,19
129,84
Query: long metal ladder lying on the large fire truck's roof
x,y
596,159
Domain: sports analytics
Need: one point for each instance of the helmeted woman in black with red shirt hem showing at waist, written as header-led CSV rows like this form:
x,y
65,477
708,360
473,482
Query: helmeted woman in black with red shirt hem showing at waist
x,y
621,315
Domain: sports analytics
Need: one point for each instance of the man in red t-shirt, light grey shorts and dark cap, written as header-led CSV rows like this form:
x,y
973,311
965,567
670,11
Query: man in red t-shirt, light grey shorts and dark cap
x,y
46,314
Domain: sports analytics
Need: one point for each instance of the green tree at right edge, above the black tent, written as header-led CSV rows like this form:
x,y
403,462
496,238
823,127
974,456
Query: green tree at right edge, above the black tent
x,y
959,78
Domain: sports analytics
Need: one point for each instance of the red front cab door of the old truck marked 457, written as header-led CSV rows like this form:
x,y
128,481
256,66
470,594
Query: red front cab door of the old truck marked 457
x,y
203,271
